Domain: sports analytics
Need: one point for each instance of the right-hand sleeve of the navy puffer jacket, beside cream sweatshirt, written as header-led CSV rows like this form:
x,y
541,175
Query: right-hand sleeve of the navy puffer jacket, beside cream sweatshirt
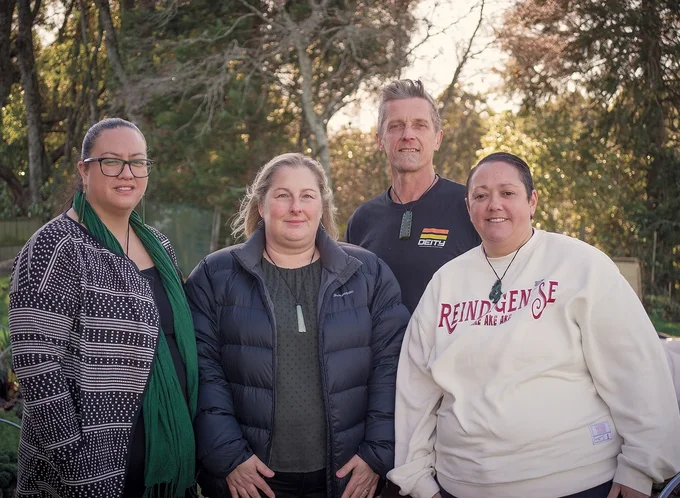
x,y
390,318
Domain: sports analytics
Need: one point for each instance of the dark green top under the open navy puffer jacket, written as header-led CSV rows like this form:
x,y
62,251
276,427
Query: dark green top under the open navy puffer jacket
x,y
299,437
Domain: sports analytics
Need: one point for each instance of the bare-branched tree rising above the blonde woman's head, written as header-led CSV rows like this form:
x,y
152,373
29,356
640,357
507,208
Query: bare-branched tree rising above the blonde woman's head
x,y
315,53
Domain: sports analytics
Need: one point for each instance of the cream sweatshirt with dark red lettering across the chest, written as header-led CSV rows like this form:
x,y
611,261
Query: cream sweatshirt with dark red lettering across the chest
x,y
560,386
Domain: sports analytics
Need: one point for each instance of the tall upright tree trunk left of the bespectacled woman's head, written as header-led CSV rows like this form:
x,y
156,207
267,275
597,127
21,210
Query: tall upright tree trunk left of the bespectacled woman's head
x,y
29,82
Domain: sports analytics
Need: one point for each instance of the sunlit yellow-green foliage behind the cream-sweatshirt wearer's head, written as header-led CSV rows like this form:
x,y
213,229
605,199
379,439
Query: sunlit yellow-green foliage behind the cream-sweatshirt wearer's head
x,y
587,187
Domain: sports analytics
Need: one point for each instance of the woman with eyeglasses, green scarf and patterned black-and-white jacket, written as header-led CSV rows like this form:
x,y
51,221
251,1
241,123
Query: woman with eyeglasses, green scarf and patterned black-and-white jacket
x,y
103,341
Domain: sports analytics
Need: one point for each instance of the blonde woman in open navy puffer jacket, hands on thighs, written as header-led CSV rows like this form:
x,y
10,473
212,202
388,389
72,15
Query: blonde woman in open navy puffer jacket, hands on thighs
x,y
298,342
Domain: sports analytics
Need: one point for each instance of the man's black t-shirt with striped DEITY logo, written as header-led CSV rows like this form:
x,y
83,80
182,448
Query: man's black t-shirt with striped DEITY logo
x,y
441,231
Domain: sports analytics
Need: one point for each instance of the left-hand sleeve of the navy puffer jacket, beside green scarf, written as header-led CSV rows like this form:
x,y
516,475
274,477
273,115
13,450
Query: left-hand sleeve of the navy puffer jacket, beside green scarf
x,y
220,445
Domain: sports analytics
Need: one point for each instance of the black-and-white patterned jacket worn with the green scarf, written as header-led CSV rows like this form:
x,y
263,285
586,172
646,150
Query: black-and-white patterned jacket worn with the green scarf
x,y
83,327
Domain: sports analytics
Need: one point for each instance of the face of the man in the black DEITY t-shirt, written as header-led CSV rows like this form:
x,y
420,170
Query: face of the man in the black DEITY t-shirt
x,y
408,135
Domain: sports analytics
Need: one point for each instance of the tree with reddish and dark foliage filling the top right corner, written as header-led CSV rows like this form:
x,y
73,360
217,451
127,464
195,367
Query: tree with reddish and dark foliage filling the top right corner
x,y
624,56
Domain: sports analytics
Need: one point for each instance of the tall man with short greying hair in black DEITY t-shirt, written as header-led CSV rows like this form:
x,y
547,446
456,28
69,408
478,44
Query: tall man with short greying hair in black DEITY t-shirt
x,y
420,222
